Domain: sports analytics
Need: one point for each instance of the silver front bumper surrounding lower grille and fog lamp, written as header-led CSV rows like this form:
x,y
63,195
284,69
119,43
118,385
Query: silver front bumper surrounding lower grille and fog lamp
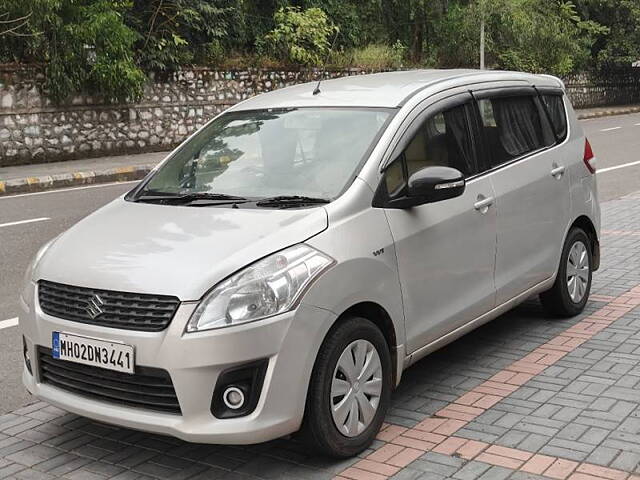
x,y
194,361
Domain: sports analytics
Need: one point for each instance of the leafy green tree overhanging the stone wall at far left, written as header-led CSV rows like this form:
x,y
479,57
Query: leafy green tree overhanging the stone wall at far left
x,y
83,44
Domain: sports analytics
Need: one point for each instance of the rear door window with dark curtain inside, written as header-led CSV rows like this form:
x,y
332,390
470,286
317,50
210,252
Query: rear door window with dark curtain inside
x,y
512,127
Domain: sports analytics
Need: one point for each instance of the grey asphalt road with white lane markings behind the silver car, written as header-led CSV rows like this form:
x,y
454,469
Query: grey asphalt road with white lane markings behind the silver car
x,y
615,140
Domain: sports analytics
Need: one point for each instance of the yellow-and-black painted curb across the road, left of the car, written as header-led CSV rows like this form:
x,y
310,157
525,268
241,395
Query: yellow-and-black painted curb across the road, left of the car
x,y
63,180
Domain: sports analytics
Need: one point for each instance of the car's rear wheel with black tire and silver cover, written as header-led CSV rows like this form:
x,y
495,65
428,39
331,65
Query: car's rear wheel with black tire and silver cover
x,y
562,300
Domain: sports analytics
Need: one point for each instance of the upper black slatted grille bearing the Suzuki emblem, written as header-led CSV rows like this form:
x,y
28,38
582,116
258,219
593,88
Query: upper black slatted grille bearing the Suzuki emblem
x,y
131,311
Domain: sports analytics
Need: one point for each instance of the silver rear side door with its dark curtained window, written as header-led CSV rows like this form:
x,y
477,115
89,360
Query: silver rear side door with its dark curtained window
x,y
531,183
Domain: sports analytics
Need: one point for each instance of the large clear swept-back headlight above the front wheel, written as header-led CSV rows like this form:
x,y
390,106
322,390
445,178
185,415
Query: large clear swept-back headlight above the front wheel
x,y
266,288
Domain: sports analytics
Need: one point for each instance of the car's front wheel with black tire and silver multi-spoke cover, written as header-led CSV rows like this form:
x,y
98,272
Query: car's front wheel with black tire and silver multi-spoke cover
x,y
319,429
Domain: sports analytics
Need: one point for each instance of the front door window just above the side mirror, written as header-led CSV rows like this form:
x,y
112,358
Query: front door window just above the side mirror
x,y
443,139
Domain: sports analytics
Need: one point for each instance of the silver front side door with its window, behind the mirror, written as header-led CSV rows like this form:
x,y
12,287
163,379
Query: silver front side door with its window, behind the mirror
x,y
445,250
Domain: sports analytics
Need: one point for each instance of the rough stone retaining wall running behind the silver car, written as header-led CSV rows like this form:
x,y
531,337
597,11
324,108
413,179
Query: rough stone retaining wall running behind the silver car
x,y
32,130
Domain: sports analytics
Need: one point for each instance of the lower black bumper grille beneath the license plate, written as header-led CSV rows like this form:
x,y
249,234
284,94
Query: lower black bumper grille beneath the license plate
x,y
149,388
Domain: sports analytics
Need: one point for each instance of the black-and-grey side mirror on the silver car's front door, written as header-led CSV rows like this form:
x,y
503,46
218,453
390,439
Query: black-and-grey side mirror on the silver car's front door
x,y
433,184
